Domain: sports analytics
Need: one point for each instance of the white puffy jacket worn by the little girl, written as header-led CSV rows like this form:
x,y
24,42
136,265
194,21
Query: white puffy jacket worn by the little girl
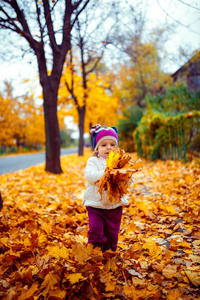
x,y
94,170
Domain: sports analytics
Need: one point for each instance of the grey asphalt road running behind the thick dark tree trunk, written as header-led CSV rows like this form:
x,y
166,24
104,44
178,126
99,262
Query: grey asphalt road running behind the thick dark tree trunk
x,y
13,163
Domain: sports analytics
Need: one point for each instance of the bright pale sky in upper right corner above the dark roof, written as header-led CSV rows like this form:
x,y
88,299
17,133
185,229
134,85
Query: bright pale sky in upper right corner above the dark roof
x,y
185,16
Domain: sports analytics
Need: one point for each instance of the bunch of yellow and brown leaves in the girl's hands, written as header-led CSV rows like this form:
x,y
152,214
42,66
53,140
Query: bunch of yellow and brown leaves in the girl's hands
x,y
118,173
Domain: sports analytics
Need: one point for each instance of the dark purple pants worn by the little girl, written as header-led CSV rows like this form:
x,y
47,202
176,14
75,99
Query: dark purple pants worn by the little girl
x,y
104,227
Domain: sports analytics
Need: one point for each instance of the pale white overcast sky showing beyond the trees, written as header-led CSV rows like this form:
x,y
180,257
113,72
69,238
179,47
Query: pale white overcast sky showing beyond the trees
x,y
187,35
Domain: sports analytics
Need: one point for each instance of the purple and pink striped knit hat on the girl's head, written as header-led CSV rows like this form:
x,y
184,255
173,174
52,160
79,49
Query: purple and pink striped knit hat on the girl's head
x,y
103,133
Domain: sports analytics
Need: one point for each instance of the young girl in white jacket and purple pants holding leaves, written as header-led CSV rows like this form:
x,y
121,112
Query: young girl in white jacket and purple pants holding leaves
x,y
104,216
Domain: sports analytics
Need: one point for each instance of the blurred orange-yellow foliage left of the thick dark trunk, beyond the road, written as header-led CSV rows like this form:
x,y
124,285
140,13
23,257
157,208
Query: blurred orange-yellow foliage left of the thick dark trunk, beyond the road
x,y
21,120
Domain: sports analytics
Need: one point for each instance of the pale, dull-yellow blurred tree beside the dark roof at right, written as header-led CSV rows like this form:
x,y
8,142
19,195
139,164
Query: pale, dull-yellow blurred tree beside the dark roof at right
x,y
143,75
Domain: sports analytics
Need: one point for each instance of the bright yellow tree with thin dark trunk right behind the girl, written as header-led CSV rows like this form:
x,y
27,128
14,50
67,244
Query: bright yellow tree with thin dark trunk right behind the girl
x,y
88,100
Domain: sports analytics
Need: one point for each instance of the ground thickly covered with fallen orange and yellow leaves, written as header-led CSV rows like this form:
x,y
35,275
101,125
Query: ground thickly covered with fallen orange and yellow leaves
x,y
43,236
